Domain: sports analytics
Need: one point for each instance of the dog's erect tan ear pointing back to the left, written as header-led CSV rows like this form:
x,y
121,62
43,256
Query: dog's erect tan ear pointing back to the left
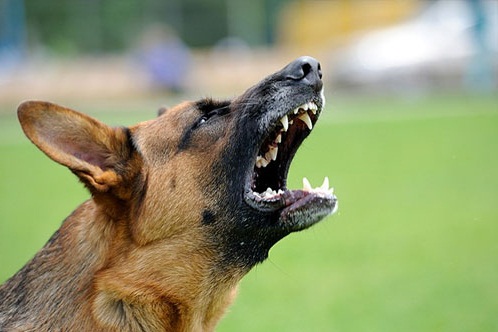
x,y
91,149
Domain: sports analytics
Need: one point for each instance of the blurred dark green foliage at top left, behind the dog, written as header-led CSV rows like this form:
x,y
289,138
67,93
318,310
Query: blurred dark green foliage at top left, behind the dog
x,y
96,26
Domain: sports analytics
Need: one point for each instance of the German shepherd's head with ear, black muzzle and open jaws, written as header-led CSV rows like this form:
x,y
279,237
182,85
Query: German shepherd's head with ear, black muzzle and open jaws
x,y
212,173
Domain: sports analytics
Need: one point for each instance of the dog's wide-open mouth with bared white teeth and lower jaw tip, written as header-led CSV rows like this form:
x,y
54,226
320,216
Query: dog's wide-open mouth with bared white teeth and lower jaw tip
x,y
266,188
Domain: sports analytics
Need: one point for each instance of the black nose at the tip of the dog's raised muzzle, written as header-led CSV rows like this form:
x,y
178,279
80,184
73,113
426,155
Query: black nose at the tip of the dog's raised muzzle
x,y
307,70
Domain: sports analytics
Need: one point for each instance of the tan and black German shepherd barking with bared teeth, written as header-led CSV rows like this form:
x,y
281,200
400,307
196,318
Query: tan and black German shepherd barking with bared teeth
x,y
182,207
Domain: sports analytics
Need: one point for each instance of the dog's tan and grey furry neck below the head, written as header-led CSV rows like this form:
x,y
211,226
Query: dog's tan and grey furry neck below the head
x,y
127,291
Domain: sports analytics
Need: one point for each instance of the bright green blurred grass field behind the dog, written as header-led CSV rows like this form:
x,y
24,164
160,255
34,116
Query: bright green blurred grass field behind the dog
x,y
414,246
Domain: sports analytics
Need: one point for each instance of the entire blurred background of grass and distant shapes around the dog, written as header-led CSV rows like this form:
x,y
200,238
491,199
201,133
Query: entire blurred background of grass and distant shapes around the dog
x,y
409,138
